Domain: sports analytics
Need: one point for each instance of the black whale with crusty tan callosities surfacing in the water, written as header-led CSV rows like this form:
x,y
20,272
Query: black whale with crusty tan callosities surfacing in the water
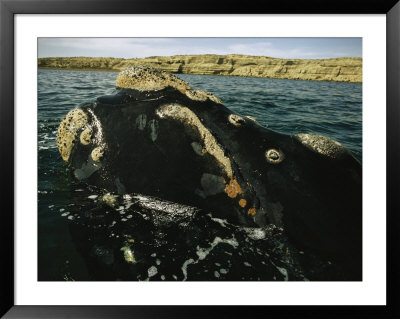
x,y
158,136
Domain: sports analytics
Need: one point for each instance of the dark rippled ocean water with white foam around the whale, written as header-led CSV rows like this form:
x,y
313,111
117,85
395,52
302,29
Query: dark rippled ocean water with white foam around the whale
x,y
136,243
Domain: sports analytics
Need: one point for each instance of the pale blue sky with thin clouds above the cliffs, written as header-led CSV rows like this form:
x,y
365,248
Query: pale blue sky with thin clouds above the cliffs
x,y
285,48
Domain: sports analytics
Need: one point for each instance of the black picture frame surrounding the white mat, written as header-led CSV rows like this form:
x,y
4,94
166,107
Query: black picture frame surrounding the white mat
x,y
8,8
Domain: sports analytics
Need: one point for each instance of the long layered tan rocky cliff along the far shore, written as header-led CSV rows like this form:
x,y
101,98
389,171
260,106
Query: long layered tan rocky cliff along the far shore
x,y
336,69
